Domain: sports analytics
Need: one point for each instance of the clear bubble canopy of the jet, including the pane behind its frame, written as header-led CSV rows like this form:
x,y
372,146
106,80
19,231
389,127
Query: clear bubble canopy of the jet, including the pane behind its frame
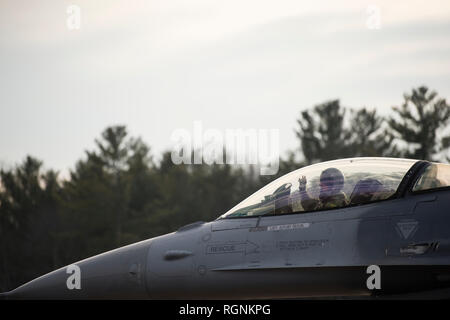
x,y
335,184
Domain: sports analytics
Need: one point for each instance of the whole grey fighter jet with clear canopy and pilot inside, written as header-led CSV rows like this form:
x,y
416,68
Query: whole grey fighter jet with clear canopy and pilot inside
x,y
359,227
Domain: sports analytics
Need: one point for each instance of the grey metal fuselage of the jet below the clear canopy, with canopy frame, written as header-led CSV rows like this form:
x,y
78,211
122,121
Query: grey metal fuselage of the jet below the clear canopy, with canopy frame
x,y
312,254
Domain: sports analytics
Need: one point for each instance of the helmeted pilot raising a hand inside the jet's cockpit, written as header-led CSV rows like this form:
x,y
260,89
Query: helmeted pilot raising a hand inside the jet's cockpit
x,y
331,194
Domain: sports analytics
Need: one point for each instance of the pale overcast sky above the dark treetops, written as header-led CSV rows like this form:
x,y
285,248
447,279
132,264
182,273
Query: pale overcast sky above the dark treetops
x,y
157,66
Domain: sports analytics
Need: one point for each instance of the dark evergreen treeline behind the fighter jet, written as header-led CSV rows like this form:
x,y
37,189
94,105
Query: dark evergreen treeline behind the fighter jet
x,y
118,195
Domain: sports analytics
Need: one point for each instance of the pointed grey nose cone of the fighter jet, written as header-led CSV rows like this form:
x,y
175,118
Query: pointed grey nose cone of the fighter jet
x,y
117,274
